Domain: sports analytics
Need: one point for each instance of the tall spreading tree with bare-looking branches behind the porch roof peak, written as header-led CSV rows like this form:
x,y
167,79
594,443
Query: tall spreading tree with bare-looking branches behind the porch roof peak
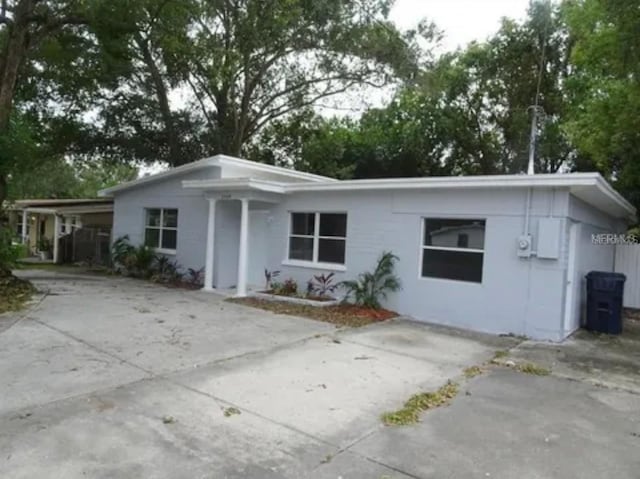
x,y
253,61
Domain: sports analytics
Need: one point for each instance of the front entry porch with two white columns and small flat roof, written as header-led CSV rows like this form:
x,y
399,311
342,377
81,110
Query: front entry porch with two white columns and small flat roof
x,y
237,222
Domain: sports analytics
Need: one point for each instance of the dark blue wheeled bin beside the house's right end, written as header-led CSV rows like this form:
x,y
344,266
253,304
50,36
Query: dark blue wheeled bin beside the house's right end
x,y
604,301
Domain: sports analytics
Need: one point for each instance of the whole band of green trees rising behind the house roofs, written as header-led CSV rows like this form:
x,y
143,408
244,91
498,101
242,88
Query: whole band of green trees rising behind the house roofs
x,y
129,81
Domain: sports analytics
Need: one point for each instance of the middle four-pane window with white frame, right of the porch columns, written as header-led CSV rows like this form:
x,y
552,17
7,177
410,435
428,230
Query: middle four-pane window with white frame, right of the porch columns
x,y
318,237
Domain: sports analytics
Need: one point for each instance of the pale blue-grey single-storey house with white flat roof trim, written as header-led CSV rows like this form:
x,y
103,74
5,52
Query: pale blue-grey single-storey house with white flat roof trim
x,y
502,254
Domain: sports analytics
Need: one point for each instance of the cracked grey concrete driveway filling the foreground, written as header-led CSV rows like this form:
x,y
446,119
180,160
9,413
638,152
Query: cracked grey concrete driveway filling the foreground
x,y
116,378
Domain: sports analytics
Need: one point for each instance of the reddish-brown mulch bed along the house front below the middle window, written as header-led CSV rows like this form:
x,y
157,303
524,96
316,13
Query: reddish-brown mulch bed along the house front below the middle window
x,y
340,315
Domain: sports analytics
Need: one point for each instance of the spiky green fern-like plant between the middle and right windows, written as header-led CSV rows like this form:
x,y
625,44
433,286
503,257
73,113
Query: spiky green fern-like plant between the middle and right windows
x,y
372,287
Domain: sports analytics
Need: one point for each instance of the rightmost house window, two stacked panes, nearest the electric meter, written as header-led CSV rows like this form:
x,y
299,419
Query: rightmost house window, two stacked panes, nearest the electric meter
x,y
453,249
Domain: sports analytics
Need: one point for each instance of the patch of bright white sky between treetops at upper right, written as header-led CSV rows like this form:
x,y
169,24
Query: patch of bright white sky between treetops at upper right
x,y
461,20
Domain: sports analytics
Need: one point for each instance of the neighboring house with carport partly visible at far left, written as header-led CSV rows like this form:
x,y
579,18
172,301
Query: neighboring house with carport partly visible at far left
x,y
41,224
